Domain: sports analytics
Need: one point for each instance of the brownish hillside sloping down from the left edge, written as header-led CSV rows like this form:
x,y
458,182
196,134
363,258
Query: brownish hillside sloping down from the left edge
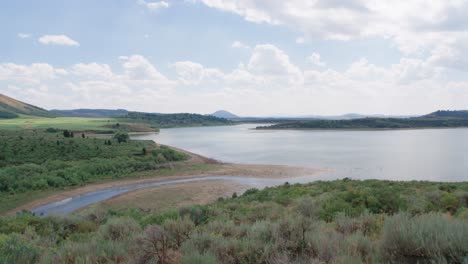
x,y
11,108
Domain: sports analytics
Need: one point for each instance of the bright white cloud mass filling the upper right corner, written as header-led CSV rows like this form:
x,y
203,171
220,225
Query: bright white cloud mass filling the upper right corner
x,y
416,27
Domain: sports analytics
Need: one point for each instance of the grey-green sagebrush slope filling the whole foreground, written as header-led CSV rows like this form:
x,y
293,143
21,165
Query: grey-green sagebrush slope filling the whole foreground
x,y
342,221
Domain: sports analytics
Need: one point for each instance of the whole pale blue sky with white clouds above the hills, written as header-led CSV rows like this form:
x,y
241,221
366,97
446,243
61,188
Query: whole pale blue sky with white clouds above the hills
x,y
250,57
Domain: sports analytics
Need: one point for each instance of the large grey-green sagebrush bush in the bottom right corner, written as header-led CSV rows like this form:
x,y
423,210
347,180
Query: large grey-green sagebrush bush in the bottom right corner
x,y
424,237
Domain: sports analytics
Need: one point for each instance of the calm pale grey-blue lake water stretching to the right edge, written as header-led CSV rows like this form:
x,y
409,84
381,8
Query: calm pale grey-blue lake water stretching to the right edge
x,y
429,154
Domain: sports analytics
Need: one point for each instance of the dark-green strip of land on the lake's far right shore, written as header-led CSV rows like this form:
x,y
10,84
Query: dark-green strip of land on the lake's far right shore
x,y
430,121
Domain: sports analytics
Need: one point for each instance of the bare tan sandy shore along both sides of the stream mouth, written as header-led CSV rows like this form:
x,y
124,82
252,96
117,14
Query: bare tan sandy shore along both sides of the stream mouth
x,y
216,169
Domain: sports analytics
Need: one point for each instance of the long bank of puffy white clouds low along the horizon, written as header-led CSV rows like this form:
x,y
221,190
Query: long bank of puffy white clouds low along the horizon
x,y
267,83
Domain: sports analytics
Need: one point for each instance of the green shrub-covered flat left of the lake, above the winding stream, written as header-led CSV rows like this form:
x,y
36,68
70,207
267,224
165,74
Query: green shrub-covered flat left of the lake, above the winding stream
x,y
36,160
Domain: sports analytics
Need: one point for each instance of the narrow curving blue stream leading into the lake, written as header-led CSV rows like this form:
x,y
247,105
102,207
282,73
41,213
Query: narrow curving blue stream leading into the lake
x,y
74,203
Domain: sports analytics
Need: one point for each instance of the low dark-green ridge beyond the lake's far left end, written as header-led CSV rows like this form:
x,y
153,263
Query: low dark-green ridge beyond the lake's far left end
x,y
175,120
